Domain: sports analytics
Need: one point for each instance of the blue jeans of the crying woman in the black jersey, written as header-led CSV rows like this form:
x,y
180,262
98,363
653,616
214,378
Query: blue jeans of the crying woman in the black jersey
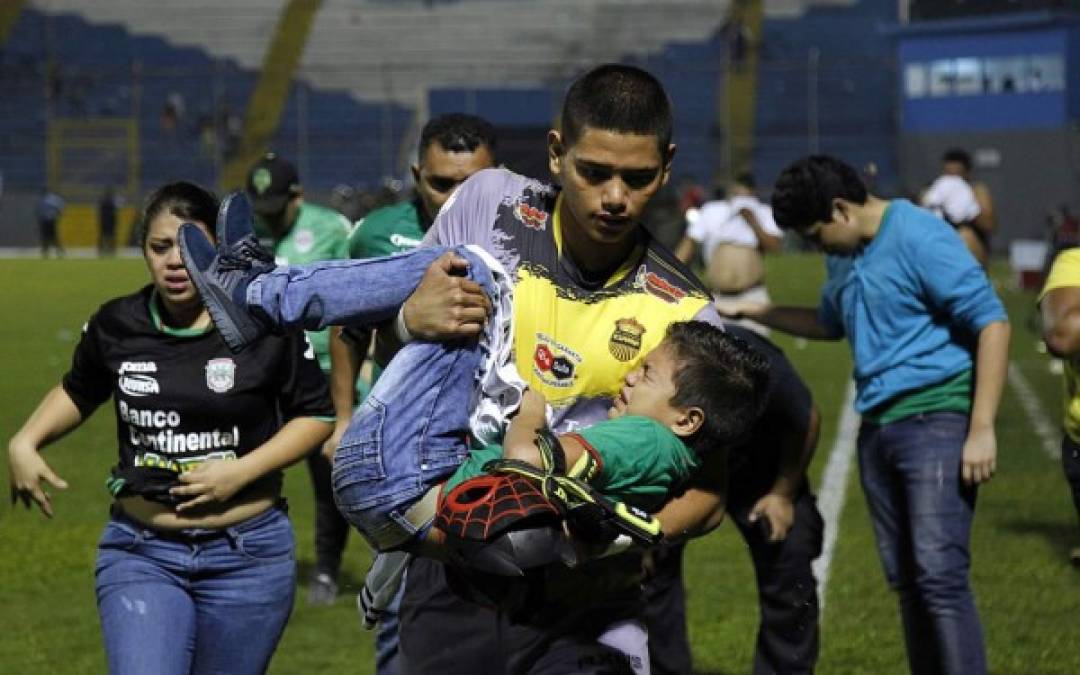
x,y
200,602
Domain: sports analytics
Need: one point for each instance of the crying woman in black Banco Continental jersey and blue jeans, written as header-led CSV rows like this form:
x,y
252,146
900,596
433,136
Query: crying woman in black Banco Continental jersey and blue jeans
x,y
196,570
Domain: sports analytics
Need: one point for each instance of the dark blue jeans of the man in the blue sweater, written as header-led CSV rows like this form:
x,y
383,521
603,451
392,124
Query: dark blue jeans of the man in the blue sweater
x,y
923,514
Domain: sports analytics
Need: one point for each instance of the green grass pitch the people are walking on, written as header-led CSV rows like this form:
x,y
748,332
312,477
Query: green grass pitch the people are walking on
x,y
1025,588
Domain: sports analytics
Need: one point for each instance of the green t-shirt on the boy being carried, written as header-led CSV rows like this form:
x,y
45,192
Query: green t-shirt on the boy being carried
x,y
642,462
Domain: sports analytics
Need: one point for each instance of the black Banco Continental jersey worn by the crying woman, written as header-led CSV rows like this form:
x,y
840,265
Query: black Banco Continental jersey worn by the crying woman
x,y
182,397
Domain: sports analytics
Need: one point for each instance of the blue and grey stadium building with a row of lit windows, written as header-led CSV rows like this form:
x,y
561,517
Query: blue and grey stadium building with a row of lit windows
x,y
1006,89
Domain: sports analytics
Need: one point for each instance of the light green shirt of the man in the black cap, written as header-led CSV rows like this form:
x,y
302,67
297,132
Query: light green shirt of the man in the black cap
x,y
320,234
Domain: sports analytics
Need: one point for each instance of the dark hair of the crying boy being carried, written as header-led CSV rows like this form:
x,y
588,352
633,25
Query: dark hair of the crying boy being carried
x,y
724,376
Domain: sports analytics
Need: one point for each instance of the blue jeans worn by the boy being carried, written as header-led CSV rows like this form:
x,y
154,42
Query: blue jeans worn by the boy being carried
x,y
413,430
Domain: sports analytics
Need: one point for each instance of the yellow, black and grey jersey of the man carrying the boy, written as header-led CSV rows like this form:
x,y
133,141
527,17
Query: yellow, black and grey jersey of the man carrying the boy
x,y
575,341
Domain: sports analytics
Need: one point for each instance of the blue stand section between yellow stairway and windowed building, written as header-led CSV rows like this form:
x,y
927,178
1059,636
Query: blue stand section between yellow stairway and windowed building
x,y
827,84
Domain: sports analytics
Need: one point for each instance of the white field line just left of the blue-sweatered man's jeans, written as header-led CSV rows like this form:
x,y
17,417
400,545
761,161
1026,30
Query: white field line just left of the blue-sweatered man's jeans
x,y
834,488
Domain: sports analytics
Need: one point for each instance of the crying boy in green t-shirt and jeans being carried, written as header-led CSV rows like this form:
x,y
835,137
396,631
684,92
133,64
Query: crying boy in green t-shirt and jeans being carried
x,y
698,391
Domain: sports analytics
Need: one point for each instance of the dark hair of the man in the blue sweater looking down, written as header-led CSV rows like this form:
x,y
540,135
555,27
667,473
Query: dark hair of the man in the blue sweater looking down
x,y
805,192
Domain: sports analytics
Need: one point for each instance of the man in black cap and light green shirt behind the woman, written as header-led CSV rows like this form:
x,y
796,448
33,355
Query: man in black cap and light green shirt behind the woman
x,y
304,233
